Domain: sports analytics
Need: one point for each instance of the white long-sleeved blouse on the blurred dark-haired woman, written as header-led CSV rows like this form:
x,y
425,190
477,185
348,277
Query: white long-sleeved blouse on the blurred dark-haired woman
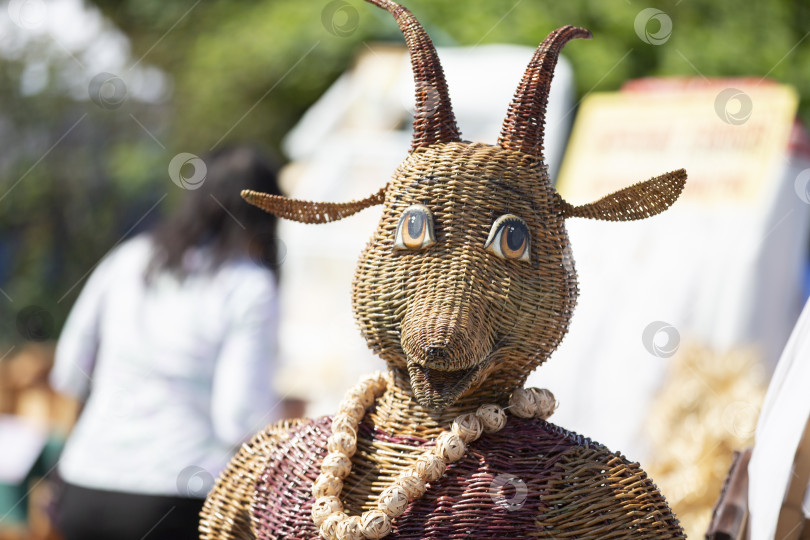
x,y
178,373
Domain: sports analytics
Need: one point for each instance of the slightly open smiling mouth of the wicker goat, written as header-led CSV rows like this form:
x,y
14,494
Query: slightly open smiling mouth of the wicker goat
x,y
438,389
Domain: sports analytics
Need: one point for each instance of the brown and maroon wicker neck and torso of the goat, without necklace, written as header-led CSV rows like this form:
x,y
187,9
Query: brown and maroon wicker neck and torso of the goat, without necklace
x,y
570,487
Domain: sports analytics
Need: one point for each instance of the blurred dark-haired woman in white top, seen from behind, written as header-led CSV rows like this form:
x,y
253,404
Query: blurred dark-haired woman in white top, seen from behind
x,y
172,345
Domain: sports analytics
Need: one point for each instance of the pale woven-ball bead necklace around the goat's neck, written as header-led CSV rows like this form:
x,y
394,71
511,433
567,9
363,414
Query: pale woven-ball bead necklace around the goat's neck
x,y
327,512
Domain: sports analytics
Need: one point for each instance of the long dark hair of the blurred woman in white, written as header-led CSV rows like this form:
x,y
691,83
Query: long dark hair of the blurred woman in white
x,y
214,215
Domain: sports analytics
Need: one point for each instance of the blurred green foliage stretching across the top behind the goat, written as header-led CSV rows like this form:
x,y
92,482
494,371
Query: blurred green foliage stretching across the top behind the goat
x,y
246,70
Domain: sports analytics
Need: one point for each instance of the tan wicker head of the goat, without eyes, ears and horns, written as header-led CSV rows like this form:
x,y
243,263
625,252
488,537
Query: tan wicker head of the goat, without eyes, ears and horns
x,y
452,316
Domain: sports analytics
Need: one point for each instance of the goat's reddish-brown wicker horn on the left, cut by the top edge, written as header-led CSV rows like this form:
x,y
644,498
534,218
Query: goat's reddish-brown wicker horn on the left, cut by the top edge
x,y
434,121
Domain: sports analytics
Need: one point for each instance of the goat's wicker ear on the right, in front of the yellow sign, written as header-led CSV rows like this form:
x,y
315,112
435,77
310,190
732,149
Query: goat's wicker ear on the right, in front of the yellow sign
x,y
639,201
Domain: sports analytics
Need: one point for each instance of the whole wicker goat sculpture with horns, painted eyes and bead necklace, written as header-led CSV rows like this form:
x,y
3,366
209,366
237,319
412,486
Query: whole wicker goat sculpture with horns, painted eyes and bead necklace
x,y
466,286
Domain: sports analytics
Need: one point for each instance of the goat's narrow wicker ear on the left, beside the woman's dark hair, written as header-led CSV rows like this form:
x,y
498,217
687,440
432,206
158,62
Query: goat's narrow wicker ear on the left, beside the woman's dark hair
x,y
306,211
